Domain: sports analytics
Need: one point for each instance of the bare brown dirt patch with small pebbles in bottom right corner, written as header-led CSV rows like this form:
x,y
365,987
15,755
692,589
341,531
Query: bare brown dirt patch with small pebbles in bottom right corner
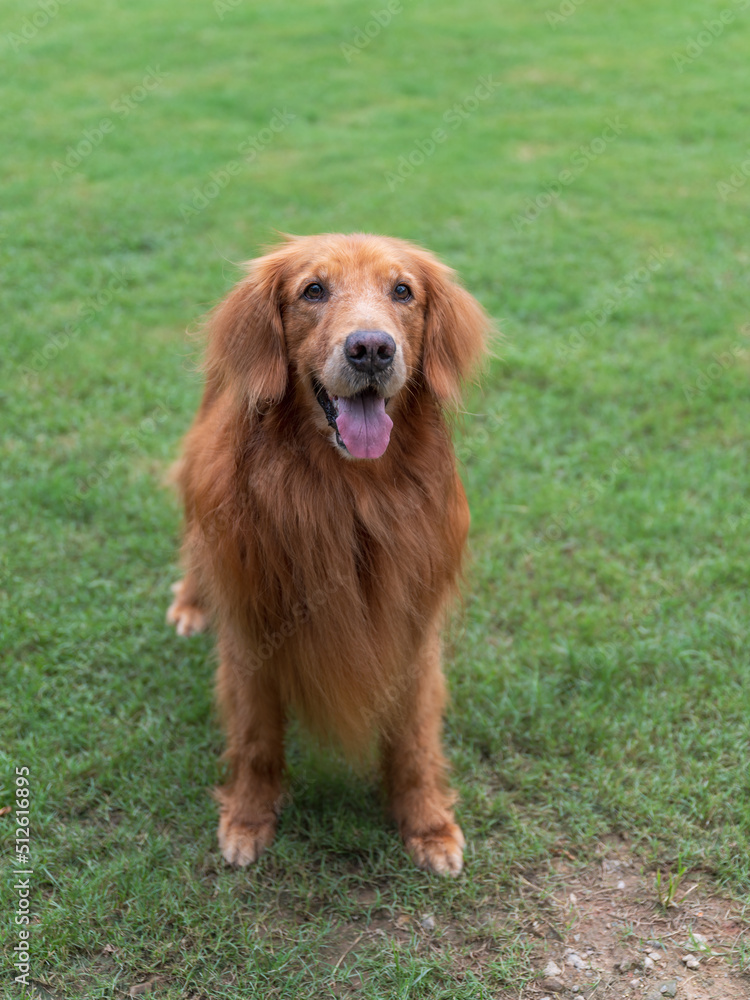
x,y
602,933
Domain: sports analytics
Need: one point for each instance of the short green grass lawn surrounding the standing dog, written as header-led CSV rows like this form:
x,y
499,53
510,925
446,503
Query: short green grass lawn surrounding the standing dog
x,y
599,670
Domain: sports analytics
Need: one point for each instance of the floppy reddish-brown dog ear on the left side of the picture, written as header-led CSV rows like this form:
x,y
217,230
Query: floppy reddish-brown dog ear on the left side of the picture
x,y
246,347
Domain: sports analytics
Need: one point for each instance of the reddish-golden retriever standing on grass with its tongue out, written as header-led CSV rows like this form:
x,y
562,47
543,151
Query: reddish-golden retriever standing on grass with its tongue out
x,y
325,522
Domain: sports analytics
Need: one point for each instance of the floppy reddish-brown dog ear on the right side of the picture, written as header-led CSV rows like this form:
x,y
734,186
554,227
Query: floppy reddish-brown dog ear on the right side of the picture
x,y
455,333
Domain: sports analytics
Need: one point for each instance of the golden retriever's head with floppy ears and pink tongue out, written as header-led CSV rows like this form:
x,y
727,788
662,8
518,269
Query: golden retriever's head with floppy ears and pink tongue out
x,y
347,323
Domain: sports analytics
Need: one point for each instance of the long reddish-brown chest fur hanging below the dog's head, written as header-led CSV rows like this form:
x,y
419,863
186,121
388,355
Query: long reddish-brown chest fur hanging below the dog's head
x,y
345,569
